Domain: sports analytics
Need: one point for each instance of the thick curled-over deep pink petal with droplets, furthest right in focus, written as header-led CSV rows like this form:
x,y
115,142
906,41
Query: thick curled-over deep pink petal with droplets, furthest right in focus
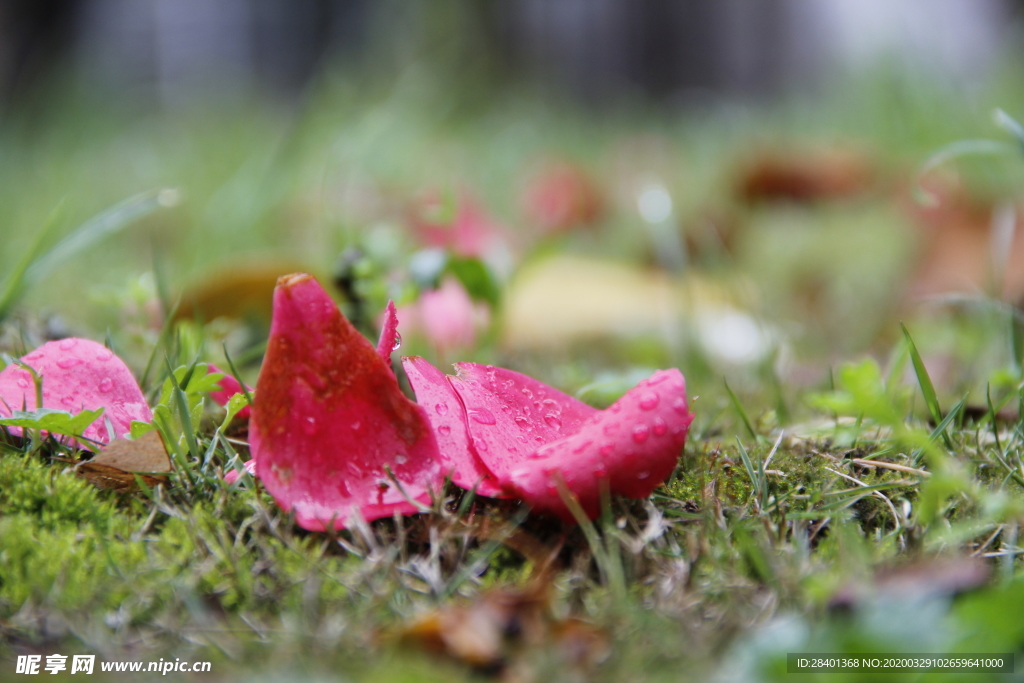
x,y
631,448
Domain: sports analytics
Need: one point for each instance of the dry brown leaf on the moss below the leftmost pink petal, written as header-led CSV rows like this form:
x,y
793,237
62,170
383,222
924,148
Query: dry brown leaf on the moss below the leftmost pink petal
x,y
119,464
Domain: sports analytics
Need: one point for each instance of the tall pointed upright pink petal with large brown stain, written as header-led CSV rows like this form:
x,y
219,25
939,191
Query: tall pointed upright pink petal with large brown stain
x,y
329,419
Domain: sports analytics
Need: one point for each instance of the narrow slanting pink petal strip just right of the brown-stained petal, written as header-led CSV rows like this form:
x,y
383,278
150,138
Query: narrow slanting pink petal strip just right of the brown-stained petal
x,y
448,417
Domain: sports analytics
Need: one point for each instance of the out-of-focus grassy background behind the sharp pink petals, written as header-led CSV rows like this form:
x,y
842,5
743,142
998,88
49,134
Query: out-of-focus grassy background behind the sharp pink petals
x,y
582,190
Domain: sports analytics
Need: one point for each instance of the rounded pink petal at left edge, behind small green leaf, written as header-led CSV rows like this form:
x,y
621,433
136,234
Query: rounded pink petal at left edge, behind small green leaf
x,y
78,375
